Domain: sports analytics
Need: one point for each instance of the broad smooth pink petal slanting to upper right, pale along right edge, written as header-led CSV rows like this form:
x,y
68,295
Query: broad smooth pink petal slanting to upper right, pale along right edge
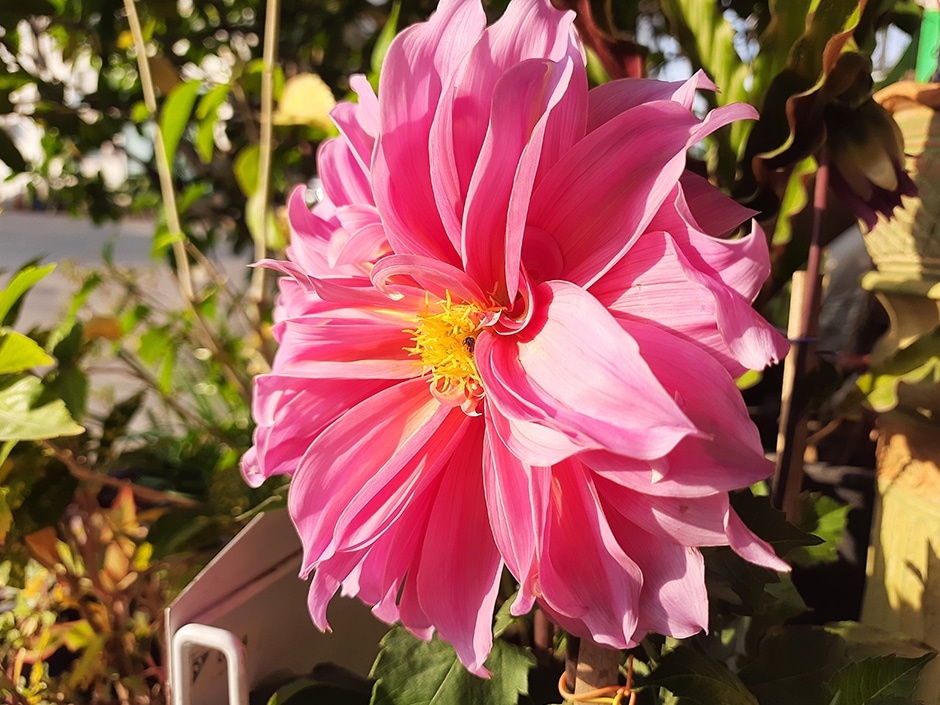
x,y
601,194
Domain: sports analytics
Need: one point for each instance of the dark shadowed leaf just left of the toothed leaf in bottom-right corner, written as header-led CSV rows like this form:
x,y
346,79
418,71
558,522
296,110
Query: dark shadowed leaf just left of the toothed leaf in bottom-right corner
x,y
797,659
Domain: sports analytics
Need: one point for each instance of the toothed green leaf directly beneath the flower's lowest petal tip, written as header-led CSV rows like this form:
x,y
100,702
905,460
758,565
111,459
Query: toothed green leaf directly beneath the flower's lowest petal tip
x,y
409,671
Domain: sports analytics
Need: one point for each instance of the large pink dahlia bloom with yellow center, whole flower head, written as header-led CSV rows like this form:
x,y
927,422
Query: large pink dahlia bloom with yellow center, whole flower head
x,y
508,338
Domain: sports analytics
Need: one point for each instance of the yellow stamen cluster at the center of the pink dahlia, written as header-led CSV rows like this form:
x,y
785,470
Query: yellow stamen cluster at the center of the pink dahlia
x,y
445,338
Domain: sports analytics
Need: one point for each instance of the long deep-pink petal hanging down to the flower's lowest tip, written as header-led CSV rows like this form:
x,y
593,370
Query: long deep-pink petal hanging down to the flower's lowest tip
x,y
460,565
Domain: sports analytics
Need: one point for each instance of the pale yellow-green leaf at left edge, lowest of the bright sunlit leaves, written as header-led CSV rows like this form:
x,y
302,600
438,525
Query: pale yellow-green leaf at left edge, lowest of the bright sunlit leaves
x,y
19,421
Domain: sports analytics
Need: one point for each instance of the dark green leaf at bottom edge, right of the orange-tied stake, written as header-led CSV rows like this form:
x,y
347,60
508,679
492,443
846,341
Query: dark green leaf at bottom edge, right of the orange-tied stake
x,y
688,673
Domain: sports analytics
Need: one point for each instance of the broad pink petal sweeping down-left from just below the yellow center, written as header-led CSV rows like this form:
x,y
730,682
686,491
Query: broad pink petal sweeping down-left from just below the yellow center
x,y
390,427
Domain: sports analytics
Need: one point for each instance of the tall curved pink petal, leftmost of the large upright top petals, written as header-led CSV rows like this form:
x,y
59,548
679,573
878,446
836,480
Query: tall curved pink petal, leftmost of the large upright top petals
x,y
407,101
